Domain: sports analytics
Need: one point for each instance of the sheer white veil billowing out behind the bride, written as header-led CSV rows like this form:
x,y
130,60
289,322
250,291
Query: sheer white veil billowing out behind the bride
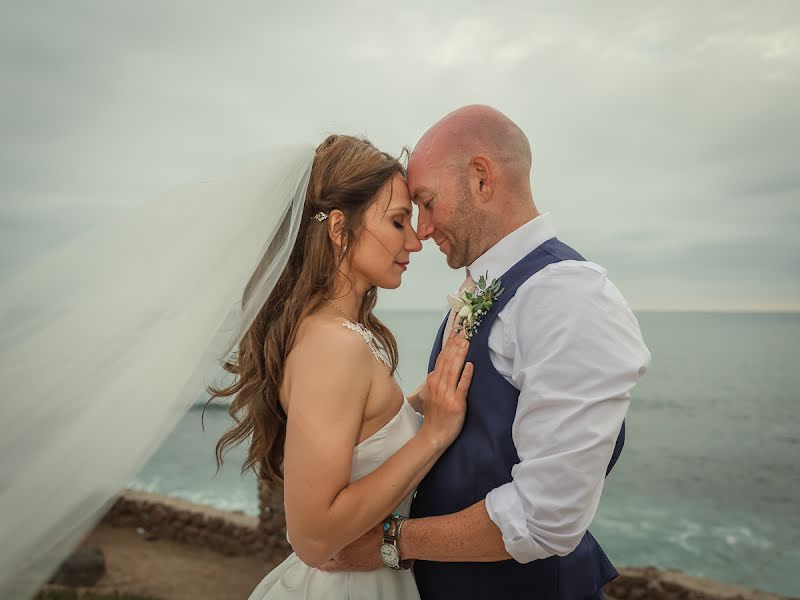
x,y
108,339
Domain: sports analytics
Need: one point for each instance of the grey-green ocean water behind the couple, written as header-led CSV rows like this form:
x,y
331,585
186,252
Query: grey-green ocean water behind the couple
x,y
708,483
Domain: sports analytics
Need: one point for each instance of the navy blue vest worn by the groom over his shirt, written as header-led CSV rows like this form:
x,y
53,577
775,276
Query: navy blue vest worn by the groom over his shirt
x,y
480,460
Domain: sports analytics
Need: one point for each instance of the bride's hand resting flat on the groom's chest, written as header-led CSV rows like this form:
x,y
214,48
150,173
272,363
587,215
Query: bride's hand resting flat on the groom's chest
x,y
445,398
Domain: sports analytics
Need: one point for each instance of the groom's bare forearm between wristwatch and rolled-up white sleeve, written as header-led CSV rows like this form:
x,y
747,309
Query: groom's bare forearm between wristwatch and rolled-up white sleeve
x,y
466,536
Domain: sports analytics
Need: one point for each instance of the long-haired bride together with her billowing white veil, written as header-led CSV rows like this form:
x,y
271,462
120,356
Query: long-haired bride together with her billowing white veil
x,y
109,337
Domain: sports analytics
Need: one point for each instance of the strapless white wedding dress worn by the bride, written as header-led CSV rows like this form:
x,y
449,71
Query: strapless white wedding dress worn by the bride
x,y
293,579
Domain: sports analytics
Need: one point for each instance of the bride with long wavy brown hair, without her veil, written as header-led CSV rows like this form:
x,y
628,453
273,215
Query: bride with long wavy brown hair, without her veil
x,y
315,384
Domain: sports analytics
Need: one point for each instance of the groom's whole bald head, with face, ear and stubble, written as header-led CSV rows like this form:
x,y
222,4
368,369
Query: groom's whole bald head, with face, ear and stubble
x,y
470,176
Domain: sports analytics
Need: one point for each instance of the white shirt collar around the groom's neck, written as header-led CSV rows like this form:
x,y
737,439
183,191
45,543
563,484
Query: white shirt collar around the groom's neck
x,y
509,250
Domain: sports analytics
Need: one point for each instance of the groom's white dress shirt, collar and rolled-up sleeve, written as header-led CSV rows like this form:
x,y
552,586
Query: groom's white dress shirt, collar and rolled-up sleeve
x,y
570,344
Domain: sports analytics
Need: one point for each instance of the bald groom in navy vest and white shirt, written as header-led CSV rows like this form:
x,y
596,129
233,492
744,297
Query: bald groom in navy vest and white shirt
x,y
505,511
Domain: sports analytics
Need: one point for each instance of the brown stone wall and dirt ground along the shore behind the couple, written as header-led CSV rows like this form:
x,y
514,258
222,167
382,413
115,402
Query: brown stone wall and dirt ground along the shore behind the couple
x,y
173,549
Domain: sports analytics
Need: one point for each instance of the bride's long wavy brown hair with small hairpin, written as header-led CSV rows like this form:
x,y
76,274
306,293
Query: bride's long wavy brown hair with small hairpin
x,y
347,174
